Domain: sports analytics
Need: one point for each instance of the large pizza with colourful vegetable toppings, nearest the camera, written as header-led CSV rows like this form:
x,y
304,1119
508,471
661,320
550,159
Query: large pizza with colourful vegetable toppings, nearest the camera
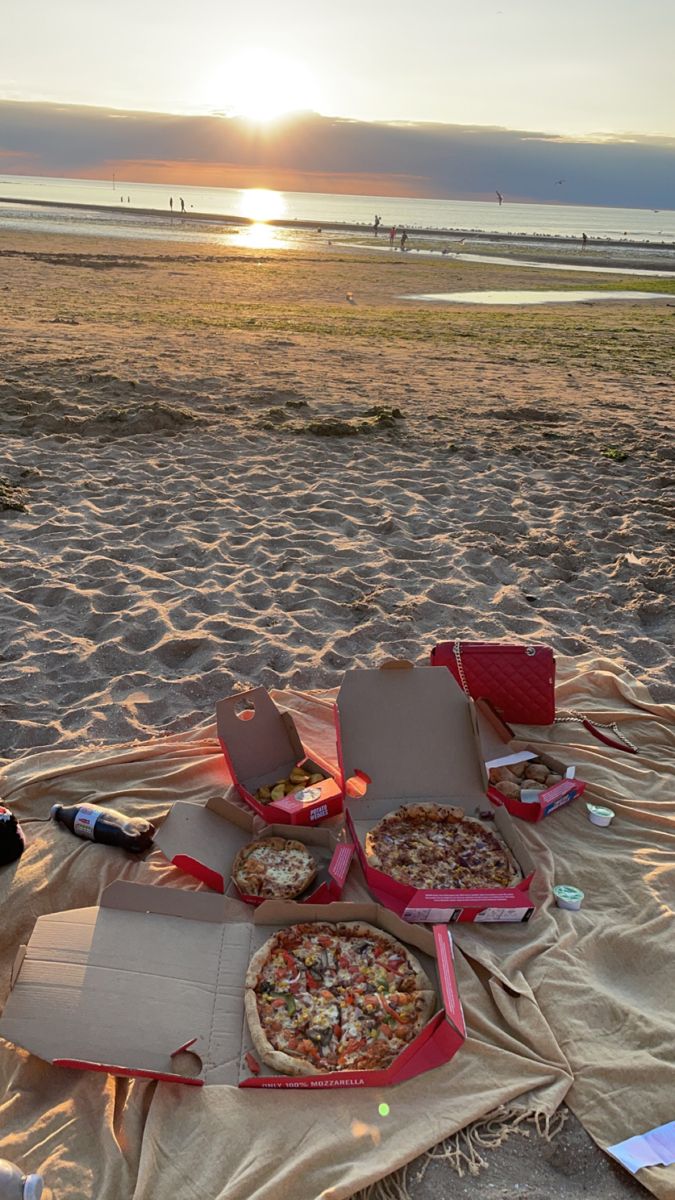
x,y
324,998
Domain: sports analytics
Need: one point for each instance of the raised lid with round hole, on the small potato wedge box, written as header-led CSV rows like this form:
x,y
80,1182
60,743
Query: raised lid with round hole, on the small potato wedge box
x,y
258,736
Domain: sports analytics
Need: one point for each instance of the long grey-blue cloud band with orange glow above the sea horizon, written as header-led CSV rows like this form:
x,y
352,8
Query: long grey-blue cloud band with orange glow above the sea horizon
x,y
313,153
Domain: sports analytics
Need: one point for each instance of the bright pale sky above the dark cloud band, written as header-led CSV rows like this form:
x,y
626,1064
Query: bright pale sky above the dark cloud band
x,y
564,67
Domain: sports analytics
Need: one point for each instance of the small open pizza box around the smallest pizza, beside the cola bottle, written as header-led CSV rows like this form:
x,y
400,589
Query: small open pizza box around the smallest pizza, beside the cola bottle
x,y
205,839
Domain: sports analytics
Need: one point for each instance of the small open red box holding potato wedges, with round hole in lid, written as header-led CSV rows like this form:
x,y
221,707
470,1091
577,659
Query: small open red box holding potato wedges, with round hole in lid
x,y
261,746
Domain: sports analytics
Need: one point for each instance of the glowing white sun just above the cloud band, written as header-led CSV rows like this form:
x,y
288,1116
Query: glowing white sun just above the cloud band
x,y
264,86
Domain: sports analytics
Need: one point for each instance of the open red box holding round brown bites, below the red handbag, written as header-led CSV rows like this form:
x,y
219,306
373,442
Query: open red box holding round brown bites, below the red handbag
x,y
501,748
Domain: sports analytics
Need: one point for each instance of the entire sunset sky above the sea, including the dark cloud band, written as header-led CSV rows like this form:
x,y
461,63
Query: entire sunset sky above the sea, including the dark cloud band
x,y
391,86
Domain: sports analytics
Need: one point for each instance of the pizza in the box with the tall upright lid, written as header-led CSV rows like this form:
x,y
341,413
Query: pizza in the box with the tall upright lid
x,y
429,847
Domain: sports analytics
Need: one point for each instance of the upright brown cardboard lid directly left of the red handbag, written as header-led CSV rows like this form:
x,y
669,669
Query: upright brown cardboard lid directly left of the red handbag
x,y
410,733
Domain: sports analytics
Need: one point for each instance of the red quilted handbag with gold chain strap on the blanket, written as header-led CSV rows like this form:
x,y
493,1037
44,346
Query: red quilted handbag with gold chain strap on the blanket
x,y
518,681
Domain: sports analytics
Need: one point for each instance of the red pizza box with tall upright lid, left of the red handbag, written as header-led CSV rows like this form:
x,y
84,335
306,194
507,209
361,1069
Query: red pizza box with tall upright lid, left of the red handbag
x,y
408,736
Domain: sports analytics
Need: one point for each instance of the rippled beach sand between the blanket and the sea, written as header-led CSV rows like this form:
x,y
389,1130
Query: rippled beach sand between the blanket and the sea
x,y
246,467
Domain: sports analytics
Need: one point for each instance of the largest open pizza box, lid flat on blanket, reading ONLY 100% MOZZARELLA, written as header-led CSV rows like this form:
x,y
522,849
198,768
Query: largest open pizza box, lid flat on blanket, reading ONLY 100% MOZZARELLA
x,y
152,983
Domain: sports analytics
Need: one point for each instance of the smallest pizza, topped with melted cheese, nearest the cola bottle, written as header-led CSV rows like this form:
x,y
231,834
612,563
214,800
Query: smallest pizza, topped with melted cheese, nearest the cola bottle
x,y
274,868
